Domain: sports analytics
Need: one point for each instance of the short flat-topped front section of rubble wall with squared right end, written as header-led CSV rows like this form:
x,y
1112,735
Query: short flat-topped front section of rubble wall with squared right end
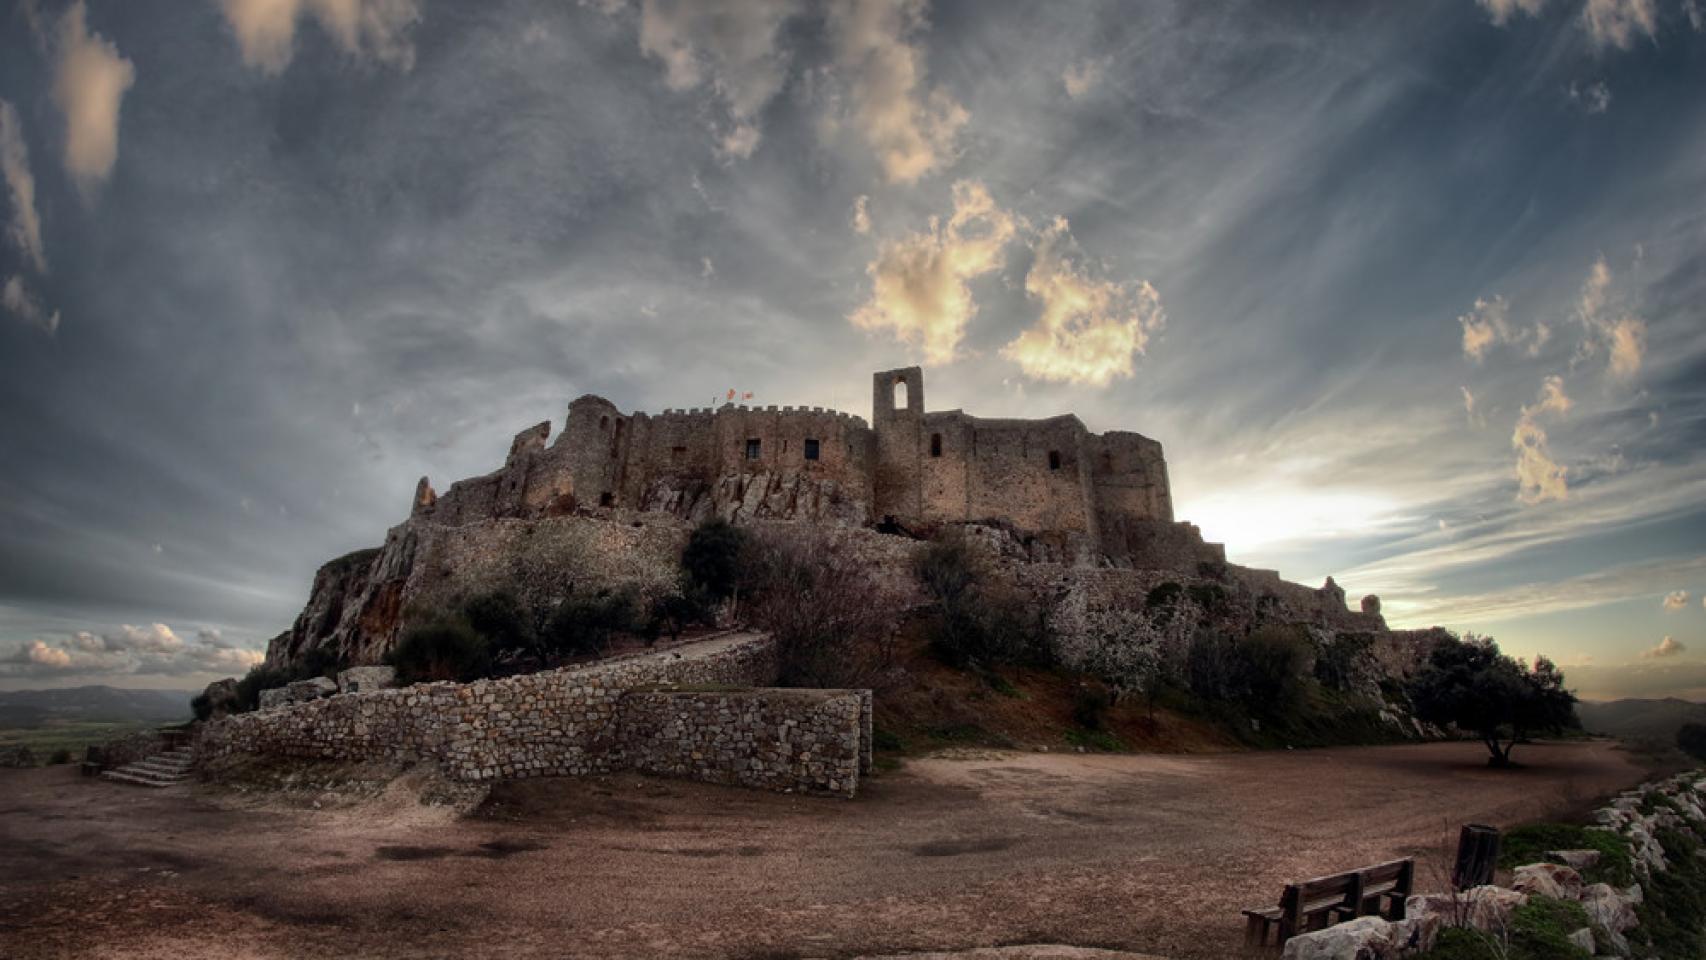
x,y
787,741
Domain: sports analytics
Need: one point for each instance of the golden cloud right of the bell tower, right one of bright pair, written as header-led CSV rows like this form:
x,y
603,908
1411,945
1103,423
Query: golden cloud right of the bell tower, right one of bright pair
x,y
1089,330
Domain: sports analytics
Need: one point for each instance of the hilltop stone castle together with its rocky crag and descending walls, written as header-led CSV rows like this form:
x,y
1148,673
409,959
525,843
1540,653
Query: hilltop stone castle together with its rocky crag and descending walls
x,y
1081,523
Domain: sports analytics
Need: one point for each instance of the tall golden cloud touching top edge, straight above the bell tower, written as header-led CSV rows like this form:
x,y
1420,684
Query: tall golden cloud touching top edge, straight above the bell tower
x,y
914,132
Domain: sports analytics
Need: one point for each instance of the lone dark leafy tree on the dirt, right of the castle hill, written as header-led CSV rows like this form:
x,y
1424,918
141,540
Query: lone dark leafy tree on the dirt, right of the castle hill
x,y
1483,691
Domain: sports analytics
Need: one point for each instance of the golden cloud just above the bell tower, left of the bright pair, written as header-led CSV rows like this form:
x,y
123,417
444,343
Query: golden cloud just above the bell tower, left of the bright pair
x,y
920,284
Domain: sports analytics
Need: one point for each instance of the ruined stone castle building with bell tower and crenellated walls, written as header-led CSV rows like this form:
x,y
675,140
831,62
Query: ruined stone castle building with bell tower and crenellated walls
x,y
1086,494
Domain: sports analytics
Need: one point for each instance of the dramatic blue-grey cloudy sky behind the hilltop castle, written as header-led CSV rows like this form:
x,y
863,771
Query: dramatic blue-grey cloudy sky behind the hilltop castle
x,y
1413,294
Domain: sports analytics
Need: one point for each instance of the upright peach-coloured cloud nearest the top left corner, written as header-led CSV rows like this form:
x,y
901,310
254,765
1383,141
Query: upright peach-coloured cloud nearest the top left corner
x,y
90,88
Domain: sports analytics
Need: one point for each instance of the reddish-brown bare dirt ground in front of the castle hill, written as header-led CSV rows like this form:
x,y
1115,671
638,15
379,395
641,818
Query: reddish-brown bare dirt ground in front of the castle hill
x,y
1151,853
